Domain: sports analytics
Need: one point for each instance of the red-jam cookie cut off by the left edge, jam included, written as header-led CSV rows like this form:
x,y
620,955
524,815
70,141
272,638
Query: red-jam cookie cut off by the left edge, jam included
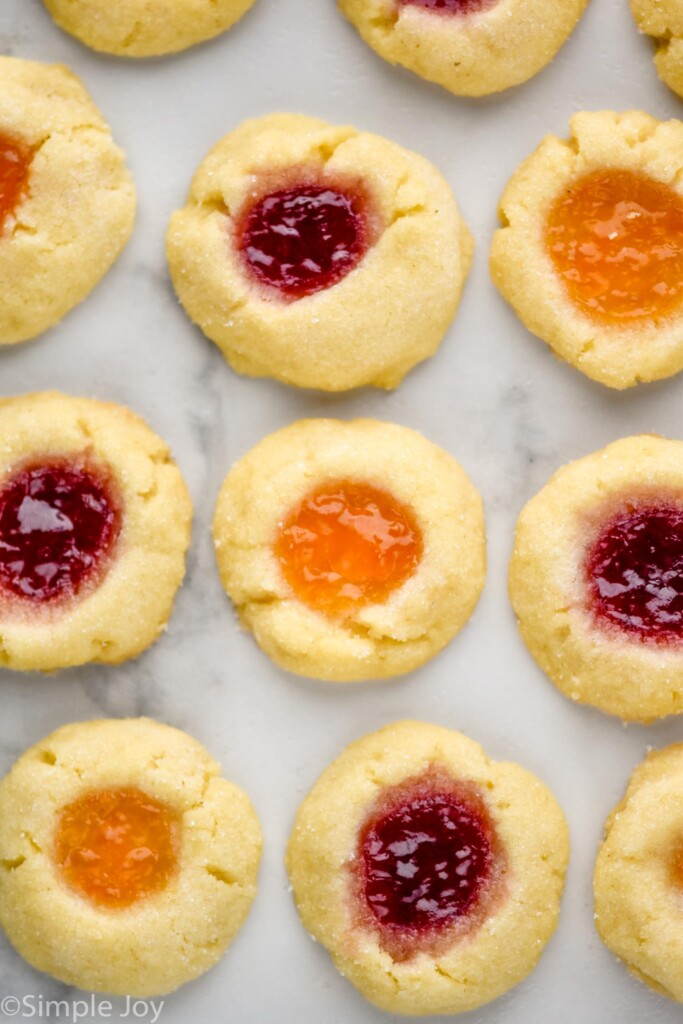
x,y
95,525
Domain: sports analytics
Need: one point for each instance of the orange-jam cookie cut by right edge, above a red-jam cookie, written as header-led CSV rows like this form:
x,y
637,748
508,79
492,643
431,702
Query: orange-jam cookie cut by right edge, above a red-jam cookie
x,y
591,252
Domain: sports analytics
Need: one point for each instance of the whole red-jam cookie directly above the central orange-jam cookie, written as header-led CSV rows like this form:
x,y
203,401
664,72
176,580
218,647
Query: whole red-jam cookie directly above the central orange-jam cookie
x,y
319,255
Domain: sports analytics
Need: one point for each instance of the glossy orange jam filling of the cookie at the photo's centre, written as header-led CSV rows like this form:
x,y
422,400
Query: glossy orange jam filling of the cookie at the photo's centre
x,y
348,545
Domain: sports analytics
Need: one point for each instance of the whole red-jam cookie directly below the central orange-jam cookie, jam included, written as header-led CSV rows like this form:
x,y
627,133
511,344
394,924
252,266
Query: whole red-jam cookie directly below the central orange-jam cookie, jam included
x,y
432,874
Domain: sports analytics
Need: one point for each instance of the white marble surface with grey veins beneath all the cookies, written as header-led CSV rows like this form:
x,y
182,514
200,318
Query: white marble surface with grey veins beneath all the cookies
x,y
494,397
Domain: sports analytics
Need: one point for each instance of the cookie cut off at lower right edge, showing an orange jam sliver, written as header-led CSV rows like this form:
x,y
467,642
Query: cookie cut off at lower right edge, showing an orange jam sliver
x,y
638,881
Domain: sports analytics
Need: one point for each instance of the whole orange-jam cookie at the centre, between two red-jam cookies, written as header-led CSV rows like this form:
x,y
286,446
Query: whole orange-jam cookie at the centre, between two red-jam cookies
x,y
352,550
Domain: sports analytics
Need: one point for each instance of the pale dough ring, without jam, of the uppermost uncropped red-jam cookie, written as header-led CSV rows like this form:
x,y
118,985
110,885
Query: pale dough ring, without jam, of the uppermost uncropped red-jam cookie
x,y
388,315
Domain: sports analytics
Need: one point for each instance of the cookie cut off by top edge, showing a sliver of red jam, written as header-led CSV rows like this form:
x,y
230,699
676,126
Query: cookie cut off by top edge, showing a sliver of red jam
x,y
471,48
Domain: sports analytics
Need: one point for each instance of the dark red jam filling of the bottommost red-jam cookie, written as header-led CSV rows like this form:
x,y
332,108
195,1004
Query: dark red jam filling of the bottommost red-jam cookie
x,y
428,860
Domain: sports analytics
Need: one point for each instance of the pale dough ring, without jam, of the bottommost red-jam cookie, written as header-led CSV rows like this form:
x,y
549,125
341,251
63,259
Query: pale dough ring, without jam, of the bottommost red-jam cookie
x,y
475,969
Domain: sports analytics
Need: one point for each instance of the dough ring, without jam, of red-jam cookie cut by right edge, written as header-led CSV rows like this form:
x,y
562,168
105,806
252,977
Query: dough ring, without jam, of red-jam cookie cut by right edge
x,y
590,663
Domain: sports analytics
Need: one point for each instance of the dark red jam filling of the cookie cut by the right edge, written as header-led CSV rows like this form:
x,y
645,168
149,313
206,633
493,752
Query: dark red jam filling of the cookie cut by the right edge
x,y
635,572
